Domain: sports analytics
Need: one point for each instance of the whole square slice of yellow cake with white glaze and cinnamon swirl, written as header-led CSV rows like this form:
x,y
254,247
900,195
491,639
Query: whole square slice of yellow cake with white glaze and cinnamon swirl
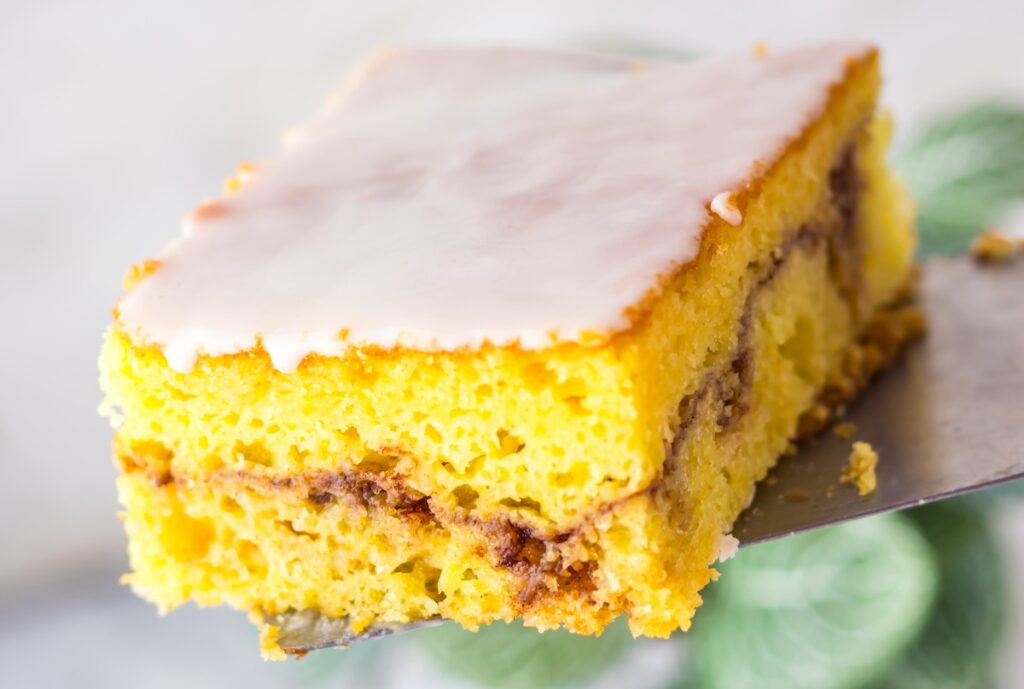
x,y
502,334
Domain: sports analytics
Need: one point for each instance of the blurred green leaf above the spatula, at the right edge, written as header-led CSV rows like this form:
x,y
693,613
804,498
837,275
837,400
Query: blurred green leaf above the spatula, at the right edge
x,y
964,168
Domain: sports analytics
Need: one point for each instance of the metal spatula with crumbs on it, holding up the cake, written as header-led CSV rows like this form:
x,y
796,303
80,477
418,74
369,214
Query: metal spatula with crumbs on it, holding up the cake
x,y
947,420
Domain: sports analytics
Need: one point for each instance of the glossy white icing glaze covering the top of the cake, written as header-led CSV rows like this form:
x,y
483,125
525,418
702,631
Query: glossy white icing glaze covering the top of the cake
x,y
454,198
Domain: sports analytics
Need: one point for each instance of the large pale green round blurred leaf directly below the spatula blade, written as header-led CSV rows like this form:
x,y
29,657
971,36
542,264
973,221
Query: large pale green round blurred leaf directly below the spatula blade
x,y
832,610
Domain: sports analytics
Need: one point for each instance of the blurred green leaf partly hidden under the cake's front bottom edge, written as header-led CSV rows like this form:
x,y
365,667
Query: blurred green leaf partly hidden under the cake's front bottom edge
x,y
513,657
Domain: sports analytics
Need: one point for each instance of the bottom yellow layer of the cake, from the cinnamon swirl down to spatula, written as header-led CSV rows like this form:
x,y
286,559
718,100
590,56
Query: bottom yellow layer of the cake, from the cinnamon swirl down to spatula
x,y
361,546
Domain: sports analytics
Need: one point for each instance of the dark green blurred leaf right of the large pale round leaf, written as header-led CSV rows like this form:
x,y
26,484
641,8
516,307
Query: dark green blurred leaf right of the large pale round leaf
x,y
963,634
